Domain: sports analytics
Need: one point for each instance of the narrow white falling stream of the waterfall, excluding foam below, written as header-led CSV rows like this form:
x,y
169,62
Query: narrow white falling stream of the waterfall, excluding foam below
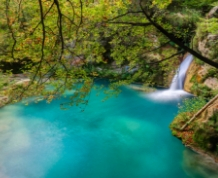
x,y
178,80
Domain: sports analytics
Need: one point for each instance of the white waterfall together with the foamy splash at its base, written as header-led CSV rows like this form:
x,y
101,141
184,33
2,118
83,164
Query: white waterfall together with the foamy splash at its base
x,y
175,92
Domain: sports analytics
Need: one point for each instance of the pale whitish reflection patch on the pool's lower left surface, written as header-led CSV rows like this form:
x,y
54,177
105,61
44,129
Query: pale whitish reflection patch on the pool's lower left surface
x,y
23,143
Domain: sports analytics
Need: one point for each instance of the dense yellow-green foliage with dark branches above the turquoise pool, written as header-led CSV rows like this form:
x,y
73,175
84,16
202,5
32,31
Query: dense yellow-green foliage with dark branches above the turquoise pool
x,y
61,43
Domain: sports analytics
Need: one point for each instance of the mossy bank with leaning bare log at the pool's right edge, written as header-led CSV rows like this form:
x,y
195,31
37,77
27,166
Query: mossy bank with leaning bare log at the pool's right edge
x,y
198,130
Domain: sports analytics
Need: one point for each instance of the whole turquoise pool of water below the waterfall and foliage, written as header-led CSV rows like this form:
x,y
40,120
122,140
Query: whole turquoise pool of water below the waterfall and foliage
x,y
123,137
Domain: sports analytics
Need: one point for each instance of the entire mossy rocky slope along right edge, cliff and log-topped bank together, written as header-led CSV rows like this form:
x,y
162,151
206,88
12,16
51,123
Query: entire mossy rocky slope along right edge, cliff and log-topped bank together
x,y
201,134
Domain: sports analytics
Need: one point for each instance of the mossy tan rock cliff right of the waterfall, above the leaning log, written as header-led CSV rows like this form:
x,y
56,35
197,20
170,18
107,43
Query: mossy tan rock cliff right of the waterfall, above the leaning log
x,y
202,76
